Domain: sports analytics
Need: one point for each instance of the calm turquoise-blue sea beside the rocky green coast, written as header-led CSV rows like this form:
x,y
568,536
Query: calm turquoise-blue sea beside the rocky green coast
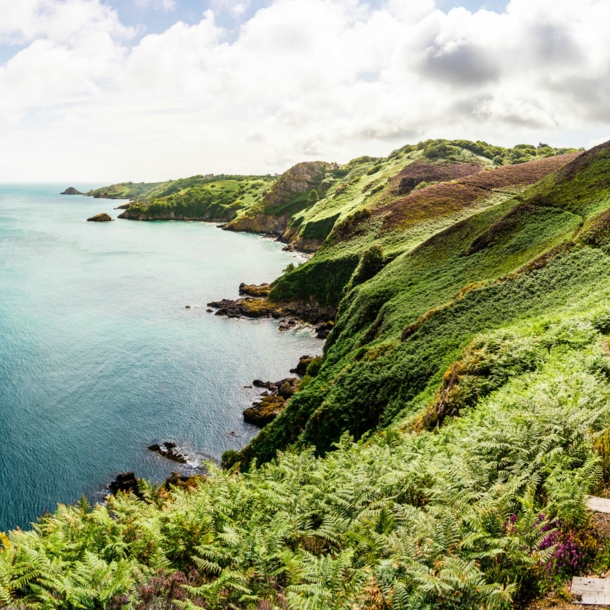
x,y
99,357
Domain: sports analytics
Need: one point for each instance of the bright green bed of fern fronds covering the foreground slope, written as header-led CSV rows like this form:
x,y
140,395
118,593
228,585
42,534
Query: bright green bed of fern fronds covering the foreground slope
x,y
486,512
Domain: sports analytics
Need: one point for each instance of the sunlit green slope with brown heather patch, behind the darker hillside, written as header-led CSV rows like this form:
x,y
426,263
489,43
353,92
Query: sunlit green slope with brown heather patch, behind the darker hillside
x,y
364,208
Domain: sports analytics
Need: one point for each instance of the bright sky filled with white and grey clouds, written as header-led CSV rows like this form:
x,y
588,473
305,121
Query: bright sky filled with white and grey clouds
x,y
110,90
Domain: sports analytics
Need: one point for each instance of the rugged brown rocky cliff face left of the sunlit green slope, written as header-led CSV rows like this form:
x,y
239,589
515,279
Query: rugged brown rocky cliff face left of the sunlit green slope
x,y
293,192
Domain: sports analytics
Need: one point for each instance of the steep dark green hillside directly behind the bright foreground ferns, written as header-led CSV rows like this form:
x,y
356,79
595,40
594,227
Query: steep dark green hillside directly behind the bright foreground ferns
x,y
397,333
